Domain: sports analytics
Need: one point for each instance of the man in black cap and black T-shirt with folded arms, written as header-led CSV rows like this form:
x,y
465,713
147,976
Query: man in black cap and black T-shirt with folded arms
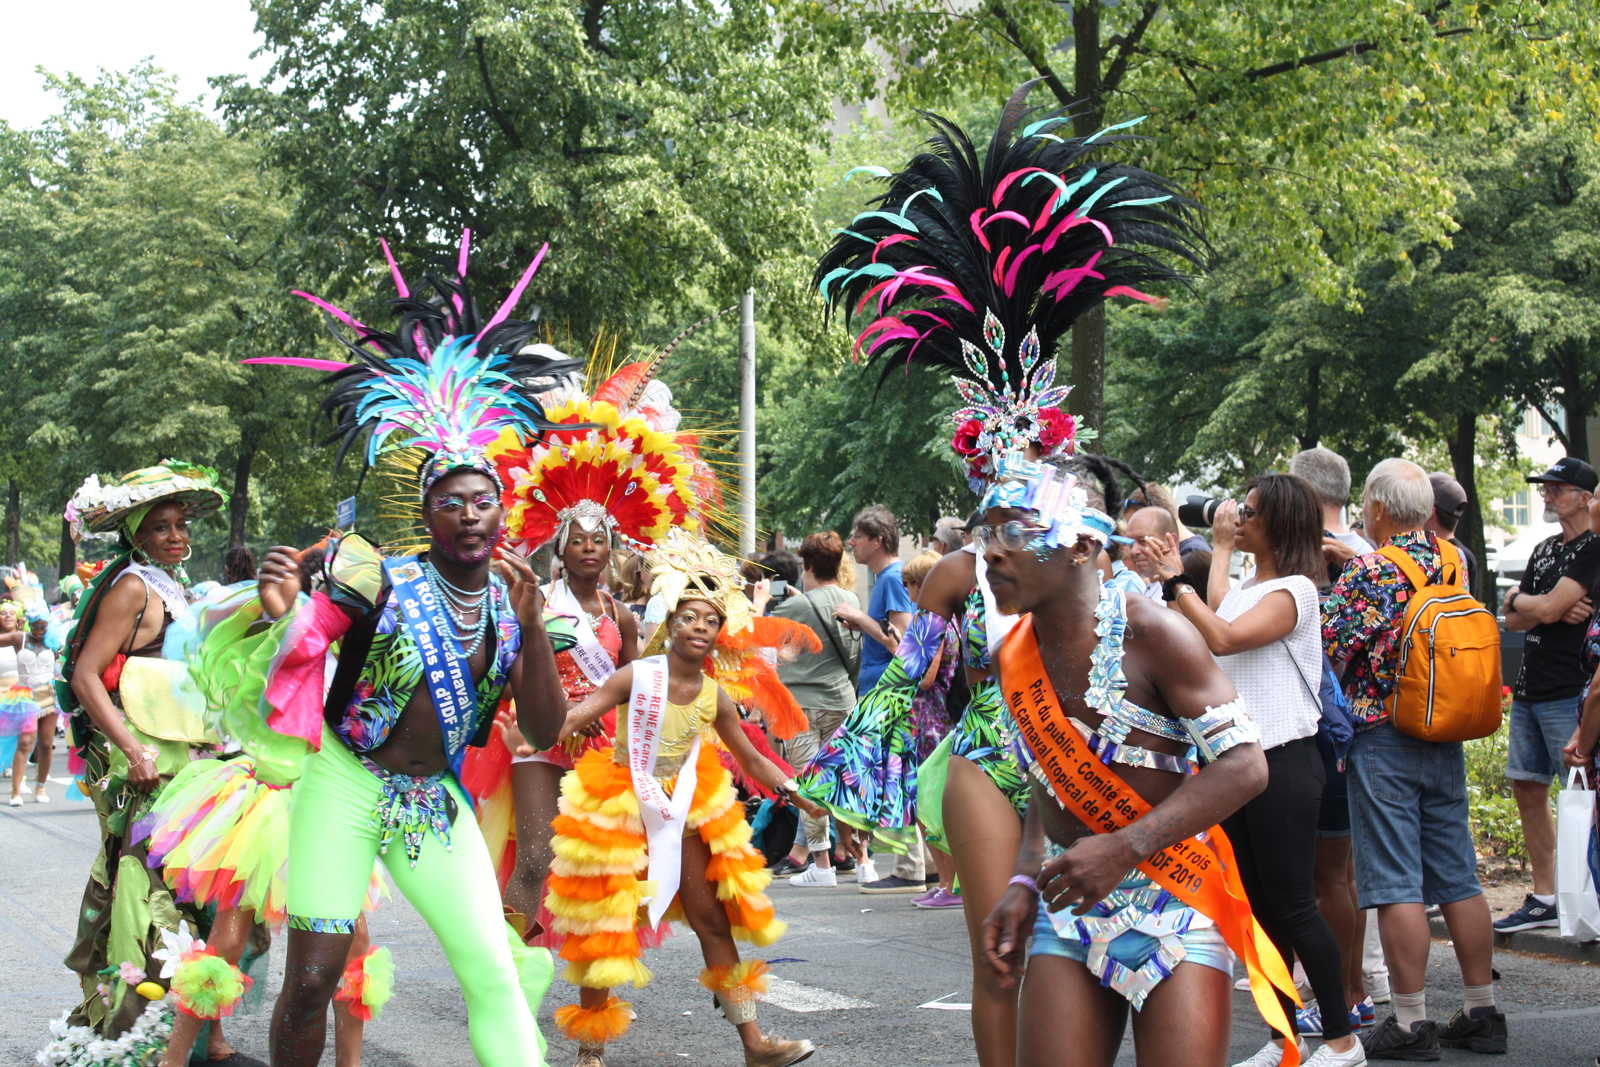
x,y
1553,604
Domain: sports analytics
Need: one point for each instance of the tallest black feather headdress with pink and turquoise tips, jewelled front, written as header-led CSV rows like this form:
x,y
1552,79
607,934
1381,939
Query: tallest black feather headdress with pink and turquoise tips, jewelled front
x,y
978,266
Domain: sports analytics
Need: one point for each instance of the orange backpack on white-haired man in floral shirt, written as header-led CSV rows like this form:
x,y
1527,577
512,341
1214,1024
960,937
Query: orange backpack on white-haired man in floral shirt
x,y
1450,673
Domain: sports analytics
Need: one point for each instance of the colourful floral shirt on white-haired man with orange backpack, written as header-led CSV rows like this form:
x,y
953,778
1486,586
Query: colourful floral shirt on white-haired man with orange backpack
x,y
1362,620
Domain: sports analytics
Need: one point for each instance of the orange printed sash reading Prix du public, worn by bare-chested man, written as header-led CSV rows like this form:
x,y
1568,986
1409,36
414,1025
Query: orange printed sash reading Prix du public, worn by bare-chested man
x,y
1199,874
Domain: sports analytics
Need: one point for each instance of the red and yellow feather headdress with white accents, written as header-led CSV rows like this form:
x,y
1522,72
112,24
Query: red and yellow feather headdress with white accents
x,y
618,462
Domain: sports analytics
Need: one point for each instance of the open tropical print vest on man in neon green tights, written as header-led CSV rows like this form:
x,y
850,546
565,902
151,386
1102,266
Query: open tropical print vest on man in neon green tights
x,y
394,668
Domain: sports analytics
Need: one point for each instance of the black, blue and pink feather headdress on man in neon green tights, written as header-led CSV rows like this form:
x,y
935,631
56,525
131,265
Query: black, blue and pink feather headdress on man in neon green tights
x,y
446,383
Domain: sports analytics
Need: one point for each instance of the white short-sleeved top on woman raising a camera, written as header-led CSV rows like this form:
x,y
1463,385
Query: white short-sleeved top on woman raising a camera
x,y
1266,677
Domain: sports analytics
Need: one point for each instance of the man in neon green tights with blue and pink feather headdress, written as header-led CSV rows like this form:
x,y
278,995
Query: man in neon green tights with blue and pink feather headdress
x,y
426,649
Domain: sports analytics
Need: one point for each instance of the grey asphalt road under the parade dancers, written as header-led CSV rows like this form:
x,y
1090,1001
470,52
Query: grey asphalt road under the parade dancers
x,y
868,978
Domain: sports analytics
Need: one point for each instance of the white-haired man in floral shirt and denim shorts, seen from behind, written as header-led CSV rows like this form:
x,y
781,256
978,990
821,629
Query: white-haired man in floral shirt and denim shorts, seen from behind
x,y
1409,797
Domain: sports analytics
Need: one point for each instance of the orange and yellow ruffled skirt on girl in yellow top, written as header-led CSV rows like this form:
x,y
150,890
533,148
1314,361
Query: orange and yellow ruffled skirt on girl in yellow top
x,y
598,887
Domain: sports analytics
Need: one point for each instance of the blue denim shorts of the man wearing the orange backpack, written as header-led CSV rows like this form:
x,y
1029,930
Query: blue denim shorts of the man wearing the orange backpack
x,y
1409,820
